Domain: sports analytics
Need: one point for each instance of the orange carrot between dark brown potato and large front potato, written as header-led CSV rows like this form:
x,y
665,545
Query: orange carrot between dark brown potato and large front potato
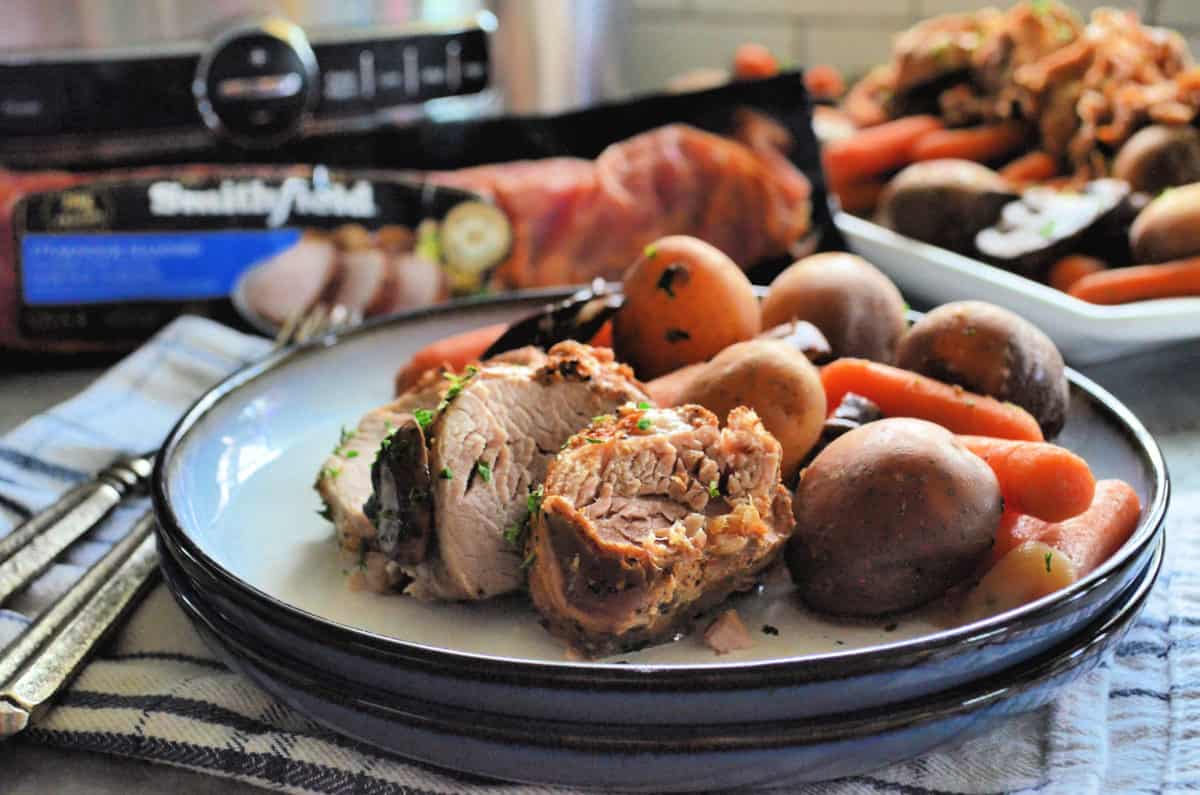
x,y
903,393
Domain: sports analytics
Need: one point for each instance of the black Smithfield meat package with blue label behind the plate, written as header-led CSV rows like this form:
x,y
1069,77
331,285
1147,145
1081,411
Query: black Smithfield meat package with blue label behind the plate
x,y
407,217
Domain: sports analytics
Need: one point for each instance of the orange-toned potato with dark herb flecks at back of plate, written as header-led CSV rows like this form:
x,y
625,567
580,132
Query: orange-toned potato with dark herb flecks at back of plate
x,y
685,303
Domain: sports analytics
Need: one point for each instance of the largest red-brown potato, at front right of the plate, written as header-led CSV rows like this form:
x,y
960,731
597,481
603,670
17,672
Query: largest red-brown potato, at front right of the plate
x,y
890,517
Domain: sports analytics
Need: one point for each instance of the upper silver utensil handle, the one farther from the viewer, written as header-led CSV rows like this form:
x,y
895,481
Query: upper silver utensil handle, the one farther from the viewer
x,y
31,548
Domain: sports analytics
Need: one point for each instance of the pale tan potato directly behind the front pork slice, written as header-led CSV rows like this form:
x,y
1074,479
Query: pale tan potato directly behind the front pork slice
x,y
773,379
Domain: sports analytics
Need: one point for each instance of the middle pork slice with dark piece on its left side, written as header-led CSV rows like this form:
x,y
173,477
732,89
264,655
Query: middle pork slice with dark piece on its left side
x,y
489,441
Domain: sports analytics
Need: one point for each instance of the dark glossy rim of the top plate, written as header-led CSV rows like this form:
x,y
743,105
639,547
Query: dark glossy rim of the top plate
x,y
901,654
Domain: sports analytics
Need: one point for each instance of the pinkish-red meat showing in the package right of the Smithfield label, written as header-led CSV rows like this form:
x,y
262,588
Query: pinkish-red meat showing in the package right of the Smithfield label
x,y
574,220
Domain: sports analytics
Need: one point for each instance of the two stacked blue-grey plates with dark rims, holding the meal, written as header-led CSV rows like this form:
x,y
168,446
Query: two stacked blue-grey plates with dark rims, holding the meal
x,y
484,690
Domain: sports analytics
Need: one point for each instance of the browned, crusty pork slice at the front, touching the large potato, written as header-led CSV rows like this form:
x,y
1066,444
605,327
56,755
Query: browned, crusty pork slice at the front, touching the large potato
x,y
649,519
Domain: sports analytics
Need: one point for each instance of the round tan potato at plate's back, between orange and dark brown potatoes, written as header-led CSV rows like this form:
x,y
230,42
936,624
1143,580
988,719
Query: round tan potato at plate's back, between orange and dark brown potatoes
x,y
855,306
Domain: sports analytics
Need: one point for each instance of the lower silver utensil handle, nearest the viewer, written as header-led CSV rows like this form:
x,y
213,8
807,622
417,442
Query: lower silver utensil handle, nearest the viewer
x,y
51,653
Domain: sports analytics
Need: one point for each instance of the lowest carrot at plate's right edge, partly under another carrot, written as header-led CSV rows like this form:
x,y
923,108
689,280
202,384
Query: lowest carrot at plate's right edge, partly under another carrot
x,y
1089,539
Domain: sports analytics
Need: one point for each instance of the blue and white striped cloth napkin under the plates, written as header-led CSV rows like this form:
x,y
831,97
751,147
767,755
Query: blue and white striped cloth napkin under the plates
x,y
157,694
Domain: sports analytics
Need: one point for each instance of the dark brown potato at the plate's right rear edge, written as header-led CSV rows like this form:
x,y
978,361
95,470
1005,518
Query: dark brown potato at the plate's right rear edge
x,y
991,351
